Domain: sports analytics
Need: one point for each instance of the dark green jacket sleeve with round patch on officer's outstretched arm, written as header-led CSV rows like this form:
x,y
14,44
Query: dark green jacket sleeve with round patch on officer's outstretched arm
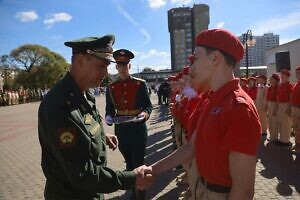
x,y
73,163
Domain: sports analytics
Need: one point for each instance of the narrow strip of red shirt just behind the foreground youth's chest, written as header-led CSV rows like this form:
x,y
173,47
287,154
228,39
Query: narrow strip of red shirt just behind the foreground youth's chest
x,y
193,118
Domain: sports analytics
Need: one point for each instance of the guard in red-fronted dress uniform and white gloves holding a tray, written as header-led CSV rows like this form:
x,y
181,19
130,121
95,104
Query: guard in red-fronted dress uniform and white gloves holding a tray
x,y
128,96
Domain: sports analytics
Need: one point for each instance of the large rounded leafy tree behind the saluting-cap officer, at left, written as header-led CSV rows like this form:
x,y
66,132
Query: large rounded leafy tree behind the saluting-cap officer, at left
x,y
42,68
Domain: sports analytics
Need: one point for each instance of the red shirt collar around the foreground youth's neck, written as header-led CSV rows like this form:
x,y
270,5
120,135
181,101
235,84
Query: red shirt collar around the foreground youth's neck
x,y
217,96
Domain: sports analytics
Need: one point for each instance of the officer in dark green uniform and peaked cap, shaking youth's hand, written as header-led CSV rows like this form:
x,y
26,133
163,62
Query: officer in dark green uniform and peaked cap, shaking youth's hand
x,y
70,130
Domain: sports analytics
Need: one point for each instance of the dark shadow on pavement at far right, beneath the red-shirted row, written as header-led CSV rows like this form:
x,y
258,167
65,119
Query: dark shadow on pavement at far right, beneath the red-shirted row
x,y
279,163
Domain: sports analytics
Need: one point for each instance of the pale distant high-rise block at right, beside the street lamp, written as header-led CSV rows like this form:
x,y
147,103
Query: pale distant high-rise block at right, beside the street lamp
x,y
257,53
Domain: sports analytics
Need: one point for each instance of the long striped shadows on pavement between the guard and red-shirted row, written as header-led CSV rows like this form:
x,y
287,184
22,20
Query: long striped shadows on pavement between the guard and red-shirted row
x,y
159,145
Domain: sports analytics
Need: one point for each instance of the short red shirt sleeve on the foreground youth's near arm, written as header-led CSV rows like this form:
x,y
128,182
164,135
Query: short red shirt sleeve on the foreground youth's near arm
x,y
242,131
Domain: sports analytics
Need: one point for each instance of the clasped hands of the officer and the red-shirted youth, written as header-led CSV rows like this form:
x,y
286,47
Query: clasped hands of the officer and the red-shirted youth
x,y
144,177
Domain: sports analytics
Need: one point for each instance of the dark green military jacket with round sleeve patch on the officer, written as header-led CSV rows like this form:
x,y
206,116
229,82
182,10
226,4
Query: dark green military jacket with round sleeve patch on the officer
x,y
74,148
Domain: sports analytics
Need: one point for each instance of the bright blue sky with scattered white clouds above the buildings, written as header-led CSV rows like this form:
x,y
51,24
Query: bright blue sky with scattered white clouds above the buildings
x,y
139,25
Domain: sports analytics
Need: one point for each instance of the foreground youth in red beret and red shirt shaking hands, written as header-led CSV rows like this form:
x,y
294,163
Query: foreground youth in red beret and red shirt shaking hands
x,y
226,145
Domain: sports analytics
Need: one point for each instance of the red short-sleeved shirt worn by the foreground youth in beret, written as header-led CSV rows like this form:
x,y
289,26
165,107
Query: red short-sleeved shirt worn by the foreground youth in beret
x,y
229,122
